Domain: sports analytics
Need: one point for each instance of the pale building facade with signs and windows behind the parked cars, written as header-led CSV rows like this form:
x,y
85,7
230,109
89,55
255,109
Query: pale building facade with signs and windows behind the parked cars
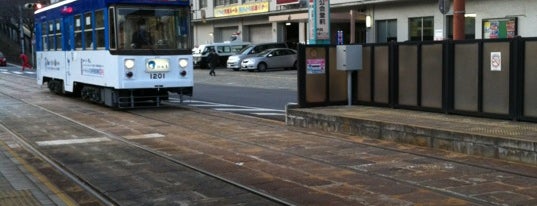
x,y
361,21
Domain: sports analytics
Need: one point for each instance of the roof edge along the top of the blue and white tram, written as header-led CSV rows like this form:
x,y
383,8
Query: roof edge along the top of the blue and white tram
x,y
86,5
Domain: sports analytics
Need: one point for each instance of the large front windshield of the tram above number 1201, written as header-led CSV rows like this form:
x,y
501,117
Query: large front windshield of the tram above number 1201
x,y
152,28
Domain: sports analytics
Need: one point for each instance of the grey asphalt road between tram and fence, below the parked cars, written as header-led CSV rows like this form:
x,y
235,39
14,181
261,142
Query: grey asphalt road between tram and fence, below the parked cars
x,y
272,90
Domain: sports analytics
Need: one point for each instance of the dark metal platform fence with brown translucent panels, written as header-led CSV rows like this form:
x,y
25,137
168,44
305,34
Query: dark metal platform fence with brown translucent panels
x,y
488,78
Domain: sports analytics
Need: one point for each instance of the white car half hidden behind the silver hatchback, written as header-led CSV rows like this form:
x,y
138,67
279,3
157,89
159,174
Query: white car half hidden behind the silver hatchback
x,y
234,61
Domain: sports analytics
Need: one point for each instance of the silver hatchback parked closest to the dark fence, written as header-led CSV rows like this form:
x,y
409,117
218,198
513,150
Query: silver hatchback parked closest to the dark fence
x,y
270,59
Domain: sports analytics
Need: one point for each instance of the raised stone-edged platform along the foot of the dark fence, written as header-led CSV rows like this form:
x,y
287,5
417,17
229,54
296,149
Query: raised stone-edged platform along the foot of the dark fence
x,y
501,139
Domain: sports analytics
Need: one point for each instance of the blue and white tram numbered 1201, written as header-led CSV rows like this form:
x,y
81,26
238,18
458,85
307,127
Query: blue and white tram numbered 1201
x,y
121,53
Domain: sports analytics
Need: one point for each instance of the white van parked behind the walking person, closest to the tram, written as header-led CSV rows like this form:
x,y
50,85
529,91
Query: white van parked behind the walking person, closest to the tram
x,y
223,51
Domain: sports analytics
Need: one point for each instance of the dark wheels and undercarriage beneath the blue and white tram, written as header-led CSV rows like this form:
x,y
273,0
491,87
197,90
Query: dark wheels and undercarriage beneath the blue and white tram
x,y
120,98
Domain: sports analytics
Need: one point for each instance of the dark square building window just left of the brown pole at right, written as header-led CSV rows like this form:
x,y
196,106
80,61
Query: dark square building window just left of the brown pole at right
x,y
421,28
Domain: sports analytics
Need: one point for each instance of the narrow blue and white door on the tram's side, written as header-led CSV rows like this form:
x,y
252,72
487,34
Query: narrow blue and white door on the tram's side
x,y
68,48
